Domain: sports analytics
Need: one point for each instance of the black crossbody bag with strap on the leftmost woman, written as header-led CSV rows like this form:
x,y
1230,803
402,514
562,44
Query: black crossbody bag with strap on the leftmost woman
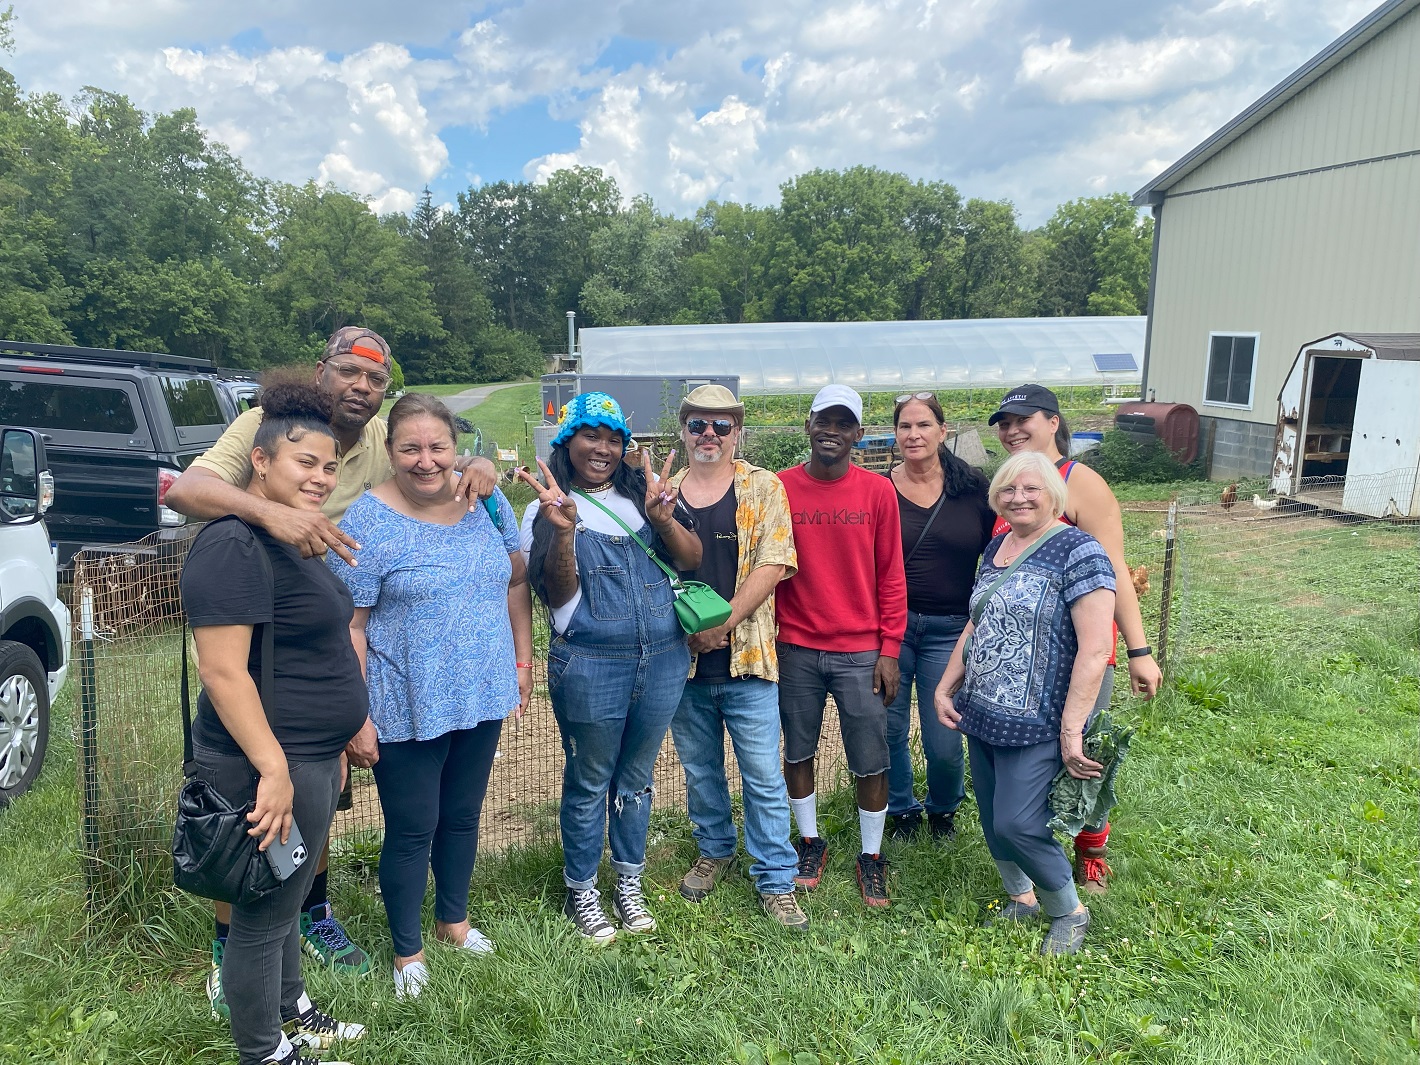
x,y
214,854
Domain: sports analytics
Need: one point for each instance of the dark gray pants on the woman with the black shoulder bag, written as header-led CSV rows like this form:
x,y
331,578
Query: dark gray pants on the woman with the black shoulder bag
x,y
262,963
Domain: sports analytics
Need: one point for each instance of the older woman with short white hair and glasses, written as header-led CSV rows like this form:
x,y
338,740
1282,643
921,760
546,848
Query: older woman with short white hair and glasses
x,y
1022,685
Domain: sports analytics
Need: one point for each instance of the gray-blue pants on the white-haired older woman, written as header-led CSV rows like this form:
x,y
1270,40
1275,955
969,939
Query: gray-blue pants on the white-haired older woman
x,y
1013,787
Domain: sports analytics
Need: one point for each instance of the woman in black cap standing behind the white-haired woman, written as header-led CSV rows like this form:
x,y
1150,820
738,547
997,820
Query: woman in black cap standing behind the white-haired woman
x,y
1030,421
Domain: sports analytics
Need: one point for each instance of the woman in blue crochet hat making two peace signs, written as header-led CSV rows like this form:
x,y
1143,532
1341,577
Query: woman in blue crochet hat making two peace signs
x,y
618,658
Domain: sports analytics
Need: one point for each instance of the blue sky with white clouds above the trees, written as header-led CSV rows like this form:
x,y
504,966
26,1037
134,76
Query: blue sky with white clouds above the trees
x,y
1036,102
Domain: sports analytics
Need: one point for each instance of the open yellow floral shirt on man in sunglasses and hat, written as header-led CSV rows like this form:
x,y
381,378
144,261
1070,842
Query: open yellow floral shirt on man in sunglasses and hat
x,y
766,532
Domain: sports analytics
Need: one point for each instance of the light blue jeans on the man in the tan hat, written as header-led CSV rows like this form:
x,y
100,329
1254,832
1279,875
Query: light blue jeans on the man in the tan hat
x,y
749,709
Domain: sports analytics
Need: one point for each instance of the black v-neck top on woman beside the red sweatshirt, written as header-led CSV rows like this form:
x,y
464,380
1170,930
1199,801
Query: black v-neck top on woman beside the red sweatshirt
x,y
942,573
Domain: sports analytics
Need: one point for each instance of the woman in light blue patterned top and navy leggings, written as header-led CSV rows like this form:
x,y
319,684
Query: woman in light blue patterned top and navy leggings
x,y
444,630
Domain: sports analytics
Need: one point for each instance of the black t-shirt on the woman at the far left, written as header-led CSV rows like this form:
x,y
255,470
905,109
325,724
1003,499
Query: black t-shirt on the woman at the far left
x,y
320,695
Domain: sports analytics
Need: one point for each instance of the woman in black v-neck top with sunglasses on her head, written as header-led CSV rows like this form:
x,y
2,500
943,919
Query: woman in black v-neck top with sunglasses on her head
x,y
946,523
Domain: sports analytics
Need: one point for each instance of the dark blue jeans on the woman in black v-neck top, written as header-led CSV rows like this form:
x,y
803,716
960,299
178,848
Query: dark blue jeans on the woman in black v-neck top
x,y
927,650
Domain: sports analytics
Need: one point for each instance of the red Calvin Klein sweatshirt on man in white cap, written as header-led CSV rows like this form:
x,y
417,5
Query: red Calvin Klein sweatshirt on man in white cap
x,y
850,591
